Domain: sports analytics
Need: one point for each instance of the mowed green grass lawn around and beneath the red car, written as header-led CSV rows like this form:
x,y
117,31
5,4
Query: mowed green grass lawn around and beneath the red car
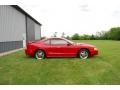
x,y
17,68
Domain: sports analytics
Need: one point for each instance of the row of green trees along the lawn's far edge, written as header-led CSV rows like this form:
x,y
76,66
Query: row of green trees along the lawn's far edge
x,y
112,34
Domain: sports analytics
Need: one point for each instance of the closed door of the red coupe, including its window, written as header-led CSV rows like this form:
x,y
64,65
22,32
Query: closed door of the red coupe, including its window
x,y
61,48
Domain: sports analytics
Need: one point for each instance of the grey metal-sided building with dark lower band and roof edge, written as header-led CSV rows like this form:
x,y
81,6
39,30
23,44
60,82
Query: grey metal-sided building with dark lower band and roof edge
x,y
16,28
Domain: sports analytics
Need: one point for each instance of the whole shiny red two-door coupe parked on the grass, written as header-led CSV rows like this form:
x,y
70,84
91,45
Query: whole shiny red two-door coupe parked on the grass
x,y
59,47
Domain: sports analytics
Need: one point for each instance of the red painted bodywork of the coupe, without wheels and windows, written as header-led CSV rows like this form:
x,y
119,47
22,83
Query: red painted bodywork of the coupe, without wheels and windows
x,y
64,50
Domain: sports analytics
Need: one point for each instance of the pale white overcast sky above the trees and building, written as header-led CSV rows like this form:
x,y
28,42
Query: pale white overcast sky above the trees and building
x,y
73,16
